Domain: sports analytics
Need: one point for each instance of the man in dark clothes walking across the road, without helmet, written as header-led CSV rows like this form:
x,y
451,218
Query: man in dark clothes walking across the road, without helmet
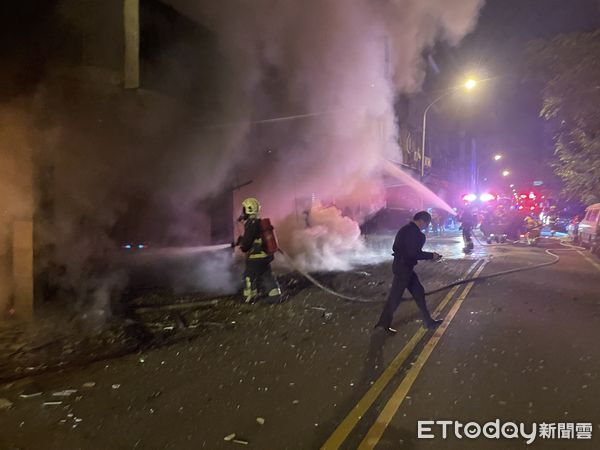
x,y
408,249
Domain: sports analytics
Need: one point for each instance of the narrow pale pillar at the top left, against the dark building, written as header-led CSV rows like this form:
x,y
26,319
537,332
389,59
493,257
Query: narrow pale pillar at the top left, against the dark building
x,y
131,18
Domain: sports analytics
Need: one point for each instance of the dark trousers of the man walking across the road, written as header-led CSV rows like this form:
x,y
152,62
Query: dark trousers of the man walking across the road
x,y
404,278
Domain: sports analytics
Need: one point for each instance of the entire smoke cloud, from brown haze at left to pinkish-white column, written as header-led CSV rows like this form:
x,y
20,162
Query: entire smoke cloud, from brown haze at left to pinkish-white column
x,y
324,75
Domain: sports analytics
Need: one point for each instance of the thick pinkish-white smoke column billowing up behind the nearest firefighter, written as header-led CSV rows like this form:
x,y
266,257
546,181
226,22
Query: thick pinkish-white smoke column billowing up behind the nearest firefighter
x,y
342,62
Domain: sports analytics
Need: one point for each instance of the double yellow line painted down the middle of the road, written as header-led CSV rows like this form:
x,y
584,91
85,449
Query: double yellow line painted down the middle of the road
x,y
376,431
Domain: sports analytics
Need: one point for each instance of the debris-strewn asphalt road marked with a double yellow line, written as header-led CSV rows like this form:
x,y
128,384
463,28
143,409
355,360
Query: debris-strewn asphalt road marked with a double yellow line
x,y
521,348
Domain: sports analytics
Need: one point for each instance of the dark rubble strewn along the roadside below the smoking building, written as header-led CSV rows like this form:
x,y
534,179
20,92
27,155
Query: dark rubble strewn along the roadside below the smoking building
x,y
161,318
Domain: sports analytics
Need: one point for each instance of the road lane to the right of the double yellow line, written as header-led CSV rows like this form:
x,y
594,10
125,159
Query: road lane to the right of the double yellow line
x,y
526,352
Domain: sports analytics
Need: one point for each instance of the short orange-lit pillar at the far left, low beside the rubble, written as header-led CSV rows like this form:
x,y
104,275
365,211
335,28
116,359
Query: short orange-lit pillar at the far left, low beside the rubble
x,y
22,265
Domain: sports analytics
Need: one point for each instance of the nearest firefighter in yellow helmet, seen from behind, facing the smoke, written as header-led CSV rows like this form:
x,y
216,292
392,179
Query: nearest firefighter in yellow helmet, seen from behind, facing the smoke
x,y
258,277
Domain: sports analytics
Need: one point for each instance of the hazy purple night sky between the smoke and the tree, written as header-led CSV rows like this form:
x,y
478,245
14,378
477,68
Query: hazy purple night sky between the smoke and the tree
x,y
505,114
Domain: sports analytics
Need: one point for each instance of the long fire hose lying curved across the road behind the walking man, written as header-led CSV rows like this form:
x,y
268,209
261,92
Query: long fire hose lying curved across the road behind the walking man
x,y
555,260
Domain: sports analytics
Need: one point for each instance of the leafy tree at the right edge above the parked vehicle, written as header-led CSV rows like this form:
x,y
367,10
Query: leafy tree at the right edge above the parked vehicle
x,y
569,68
